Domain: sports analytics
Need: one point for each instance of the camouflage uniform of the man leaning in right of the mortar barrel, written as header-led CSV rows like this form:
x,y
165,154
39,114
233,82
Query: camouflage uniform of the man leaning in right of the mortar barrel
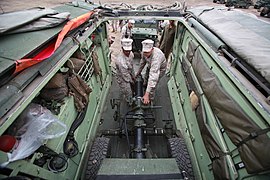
x,y
156,68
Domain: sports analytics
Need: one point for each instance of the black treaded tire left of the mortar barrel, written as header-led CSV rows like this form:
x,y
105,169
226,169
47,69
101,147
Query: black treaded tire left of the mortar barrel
x,y
98,152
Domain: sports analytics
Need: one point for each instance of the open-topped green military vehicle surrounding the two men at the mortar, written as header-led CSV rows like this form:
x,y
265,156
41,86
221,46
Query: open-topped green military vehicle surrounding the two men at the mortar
x,y
62,117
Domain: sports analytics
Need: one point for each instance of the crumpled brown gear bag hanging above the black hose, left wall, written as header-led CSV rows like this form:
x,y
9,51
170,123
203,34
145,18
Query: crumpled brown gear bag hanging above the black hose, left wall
x,y
79,90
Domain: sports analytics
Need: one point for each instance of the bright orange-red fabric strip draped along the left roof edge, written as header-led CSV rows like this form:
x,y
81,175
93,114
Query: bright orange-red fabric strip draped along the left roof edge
x,y
47,52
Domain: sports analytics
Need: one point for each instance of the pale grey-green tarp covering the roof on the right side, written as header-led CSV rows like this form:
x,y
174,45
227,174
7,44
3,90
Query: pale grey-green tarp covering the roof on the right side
x,y
245,34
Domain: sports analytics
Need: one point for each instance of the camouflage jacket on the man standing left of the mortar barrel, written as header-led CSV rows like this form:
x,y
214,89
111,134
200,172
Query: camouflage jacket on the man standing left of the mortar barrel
x,y
124,68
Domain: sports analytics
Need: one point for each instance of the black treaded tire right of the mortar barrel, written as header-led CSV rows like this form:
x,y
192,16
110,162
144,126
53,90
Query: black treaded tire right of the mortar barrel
x,y
179,151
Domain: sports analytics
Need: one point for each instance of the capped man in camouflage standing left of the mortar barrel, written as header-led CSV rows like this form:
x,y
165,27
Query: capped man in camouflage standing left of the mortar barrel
x,y
124,69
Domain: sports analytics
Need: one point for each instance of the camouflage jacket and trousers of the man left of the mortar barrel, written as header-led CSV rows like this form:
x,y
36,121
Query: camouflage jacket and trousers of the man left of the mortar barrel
x,y
124,74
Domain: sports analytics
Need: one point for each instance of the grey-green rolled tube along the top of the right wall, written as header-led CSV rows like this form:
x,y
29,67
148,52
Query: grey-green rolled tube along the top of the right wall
x,y
208,36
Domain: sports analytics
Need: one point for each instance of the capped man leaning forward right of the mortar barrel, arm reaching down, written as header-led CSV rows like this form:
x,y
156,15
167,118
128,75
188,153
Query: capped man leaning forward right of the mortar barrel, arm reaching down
x,y
156,68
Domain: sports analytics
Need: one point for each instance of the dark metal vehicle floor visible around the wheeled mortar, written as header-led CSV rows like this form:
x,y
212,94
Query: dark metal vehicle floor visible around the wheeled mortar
x,y
157,145
